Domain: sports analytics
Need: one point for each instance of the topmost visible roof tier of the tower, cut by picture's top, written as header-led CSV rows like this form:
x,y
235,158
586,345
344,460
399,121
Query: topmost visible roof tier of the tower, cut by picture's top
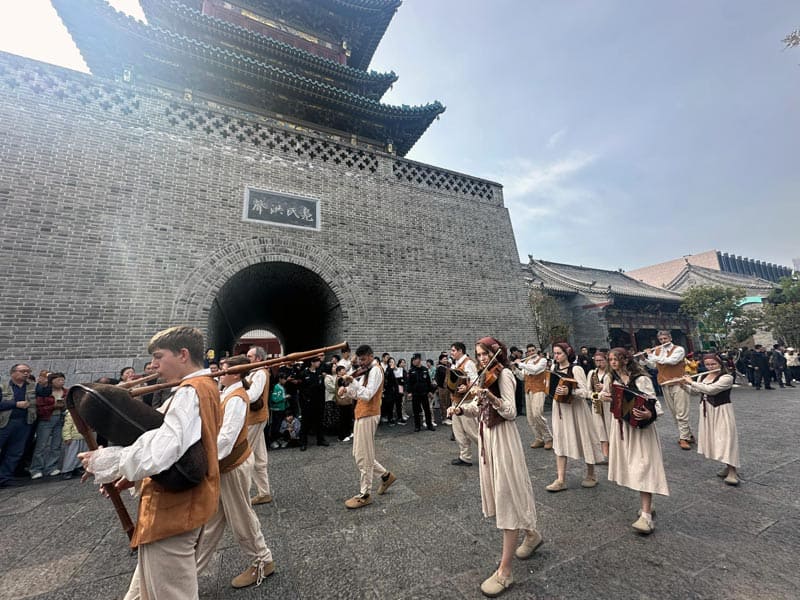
x,y
361,23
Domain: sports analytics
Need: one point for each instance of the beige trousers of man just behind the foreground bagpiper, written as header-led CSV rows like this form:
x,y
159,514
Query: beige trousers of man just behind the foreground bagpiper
x,y
235,510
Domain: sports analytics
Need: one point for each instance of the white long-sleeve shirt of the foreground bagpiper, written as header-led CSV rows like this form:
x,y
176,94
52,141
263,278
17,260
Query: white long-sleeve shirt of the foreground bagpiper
x,y
158,449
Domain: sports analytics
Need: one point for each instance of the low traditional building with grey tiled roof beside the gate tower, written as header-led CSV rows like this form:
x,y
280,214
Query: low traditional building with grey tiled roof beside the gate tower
x,y
608,308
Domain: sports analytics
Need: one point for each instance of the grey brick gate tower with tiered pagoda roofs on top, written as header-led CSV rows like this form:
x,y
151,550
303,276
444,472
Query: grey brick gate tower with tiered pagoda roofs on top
x,y
230,165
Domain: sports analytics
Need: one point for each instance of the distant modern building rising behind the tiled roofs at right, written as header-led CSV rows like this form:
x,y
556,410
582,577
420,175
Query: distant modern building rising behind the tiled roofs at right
x,y
662,274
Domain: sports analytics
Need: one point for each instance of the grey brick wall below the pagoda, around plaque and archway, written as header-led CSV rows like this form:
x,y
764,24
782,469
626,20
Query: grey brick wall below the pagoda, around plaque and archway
x,y
123,216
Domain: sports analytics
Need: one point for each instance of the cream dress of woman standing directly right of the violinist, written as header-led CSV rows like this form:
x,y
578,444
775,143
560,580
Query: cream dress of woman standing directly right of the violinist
x,y
574,433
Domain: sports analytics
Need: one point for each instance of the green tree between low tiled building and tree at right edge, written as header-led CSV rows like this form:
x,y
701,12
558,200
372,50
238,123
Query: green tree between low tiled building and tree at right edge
x,y
714,307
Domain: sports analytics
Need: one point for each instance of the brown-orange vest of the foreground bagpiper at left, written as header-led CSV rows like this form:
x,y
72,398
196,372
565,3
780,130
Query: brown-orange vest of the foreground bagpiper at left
x,y
163,514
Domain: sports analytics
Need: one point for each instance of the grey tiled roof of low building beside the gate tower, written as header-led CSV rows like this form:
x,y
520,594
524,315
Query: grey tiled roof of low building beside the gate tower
x,y
571,279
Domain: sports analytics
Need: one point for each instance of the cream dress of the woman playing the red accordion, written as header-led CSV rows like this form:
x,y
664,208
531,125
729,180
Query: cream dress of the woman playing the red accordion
x,y
634,454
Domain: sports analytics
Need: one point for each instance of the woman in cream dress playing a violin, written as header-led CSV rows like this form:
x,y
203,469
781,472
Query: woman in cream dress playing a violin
x,y
506,491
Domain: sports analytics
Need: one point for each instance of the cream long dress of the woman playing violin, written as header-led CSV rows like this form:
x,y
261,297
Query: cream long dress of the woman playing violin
x,y
506,490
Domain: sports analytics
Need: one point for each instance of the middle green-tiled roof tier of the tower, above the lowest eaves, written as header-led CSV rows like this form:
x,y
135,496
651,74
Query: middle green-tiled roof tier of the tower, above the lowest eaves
x,y
177,17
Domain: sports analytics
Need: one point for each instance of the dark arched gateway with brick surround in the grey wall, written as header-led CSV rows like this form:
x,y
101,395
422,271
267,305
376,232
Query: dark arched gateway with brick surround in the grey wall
x,y
297,291
